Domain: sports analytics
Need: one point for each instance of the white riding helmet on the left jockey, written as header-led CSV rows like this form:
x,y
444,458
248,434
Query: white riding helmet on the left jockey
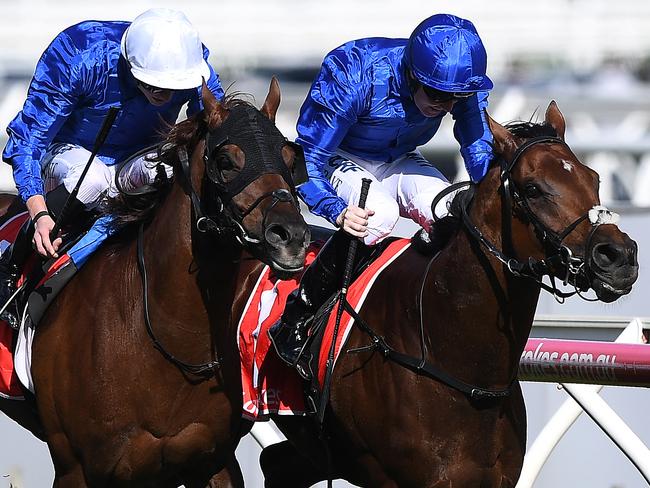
x,y
163,50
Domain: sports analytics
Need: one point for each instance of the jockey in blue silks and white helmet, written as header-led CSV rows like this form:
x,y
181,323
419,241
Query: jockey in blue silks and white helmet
x,y
148,68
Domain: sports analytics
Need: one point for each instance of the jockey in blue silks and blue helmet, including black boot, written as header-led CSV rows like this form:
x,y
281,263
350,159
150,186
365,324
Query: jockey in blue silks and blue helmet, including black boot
x,y
373,103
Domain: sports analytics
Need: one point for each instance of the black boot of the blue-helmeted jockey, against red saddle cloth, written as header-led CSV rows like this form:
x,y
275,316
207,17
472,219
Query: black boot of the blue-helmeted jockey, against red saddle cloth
x,y
319,282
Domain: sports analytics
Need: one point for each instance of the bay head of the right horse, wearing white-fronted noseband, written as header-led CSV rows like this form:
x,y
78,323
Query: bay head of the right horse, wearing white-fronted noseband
x,y
554,199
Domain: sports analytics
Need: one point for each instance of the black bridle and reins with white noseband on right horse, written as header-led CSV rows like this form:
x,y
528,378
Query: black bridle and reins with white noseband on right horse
x,y
558,255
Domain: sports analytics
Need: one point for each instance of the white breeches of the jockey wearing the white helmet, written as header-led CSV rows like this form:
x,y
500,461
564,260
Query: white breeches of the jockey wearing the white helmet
x,y
64,163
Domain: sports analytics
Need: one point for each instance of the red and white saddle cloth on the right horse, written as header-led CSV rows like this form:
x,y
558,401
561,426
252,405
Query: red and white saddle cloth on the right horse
x,y
270,386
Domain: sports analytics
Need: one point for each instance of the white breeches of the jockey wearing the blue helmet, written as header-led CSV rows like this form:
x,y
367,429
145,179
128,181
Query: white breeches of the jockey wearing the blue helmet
x,y
406,187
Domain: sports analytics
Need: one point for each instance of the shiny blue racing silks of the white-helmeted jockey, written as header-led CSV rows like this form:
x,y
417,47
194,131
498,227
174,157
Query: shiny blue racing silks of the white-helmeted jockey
x,y
78,78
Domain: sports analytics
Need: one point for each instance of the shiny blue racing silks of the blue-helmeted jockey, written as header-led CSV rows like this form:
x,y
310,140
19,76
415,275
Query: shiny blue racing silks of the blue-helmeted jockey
x,y
361,103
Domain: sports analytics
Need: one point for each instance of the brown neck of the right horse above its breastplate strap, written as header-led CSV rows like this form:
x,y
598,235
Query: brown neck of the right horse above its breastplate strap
x,y
490,310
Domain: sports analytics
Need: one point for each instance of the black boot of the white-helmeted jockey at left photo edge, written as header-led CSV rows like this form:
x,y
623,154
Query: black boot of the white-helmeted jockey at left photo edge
x,y
11,261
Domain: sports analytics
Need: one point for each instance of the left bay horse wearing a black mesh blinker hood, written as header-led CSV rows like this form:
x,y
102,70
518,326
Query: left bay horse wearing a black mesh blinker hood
x,y
136,381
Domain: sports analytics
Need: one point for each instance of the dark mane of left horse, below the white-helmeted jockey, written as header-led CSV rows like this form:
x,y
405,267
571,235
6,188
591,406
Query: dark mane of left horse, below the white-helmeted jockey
x,y
130,210
